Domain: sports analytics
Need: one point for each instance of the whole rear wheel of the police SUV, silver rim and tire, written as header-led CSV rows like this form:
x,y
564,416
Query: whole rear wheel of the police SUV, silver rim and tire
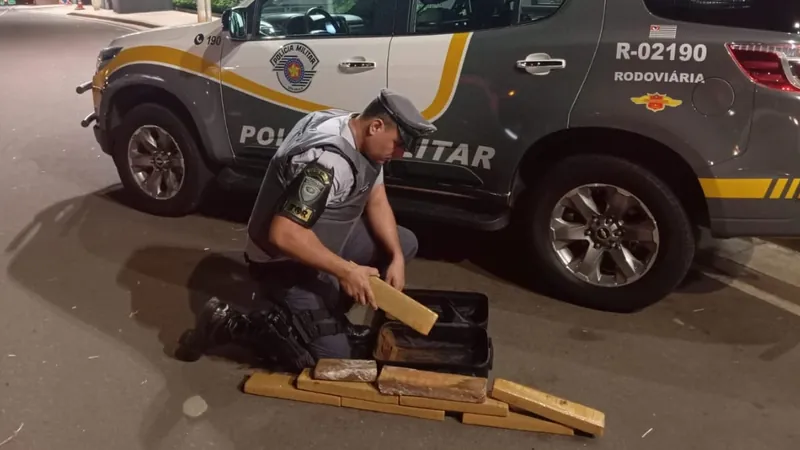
x,y
608,233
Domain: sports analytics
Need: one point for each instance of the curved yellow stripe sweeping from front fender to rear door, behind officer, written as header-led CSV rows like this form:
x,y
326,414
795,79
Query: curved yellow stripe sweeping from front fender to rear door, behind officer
x,y
188,62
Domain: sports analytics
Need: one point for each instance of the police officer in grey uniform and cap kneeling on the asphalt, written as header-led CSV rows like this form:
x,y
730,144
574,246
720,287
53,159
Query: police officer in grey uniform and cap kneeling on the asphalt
x,y
320,226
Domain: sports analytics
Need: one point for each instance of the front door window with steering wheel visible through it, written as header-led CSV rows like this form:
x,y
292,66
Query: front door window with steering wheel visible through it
x,y
322,18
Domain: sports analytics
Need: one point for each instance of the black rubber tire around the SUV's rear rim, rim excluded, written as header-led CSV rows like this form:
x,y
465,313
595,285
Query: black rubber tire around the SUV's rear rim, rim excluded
x,y
677,240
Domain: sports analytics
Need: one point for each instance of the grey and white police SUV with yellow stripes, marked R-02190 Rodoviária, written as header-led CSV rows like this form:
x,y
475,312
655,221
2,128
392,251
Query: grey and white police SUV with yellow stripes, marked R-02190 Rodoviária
x,y
606,131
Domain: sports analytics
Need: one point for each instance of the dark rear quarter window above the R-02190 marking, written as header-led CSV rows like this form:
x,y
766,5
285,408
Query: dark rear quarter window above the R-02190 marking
x,y
770,15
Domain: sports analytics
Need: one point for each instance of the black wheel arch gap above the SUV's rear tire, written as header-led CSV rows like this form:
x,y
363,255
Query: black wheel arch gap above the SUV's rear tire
x,y
667,164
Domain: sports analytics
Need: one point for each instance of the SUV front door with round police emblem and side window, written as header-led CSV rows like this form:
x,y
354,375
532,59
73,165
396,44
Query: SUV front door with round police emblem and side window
x,y
304,55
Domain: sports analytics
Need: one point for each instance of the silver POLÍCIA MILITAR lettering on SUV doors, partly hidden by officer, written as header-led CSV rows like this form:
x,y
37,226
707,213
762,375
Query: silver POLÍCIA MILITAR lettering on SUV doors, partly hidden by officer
x,y
435,150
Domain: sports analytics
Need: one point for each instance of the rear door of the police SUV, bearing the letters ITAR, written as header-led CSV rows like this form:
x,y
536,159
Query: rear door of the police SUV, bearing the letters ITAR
x,y
495,76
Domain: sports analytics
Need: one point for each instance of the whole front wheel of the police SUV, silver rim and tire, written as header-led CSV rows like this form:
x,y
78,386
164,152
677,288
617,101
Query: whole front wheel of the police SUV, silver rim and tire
x,y
159,162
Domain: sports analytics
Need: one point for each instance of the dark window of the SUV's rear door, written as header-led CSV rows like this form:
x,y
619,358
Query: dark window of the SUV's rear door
x,y
453,16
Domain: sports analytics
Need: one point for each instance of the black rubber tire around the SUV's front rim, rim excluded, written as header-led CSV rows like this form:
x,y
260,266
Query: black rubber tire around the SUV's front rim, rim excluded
x,y
197,176
